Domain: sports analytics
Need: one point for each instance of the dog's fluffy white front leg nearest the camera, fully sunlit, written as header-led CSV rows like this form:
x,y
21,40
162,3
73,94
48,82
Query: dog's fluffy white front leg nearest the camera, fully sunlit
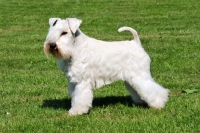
x,y
81,98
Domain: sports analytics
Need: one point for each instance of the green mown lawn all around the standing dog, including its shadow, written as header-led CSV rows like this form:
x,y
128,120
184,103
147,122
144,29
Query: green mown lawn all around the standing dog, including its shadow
x,y
34,92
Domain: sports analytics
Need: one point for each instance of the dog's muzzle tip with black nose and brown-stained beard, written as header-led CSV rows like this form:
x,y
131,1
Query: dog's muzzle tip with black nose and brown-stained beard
x,y
52,48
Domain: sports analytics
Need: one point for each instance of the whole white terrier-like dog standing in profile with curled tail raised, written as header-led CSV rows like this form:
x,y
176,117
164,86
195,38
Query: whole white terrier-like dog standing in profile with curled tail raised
x,y
89,63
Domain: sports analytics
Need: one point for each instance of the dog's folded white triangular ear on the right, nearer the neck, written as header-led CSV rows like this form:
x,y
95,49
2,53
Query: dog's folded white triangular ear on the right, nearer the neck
x,y
74,24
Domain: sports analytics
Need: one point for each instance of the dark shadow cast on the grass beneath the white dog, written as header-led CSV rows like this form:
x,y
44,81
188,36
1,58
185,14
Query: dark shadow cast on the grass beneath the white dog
x,y
97,102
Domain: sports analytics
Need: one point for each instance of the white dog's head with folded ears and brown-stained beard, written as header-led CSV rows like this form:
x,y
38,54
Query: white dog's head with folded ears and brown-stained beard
x,y
60,38
